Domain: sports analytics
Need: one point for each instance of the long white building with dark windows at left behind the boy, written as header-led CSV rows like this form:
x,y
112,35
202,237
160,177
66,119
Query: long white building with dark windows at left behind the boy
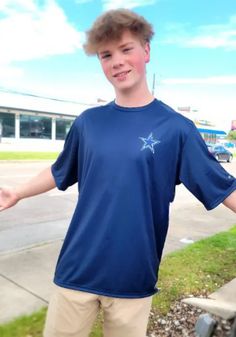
x,y
37,123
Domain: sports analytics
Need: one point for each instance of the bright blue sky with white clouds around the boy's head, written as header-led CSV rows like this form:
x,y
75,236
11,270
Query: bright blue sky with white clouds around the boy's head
x,y
193,53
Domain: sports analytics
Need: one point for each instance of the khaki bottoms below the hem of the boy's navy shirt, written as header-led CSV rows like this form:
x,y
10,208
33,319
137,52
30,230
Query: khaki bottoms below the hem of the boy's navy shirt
x,y
71,313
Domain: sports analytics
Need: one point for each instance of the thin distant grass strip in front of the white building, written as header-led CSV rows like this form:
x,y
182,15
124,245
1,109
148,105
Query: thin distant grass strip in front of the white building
x,y
28,155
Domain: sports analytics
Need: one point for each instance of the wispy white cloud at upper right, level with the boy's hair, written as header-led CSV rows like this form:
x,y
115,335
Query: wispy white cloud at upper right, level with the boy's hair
x,y
206,36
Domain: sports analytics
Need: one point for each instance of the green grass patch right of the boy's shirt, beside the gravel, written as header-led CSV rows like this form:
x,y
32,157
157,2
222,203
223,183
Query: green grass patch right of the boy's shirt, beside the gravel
x,y
198,269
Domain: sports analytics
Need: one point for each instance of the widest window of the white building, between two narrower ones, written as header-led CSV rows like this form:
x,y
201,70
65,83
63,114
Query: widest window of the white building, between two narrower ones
x,y
35,127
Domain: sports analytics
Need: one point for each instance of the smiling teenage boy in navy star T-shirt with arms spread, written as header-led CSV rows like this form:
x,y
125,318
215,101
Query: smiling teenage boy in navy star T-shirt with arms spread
x,y
127,158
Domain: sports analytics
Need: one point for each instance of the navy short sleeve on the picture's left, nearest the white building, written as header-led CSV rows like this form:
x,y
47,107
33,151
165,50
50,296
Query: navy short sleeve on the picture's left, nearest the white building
x,y
65,169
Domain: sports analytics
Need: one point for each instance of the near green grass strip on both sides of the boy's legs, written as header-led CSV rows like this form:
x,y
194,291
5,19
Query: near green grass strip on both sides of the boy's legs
x,y
200,268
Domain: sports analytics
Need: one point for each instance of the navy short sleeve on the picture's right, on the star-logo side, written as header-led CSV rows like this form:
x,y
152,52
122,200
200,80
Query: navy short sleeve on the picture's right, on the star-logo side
x,y
202,174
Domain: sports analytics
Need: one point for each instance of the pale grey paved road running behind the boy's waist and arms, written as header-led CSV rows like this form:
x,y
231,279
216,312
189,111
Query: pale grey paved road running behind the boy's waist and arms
x,y
45,218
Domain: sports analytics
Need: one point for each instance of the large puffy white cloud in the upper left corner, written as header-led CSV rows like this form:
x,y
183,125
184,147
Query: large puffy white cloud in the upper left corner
x,y
31,32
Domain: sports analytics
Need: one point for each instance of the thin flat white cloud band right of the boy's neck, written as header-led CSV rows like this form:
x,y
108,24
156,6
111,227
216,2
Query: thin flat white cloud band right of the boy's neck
x,y
215,80
